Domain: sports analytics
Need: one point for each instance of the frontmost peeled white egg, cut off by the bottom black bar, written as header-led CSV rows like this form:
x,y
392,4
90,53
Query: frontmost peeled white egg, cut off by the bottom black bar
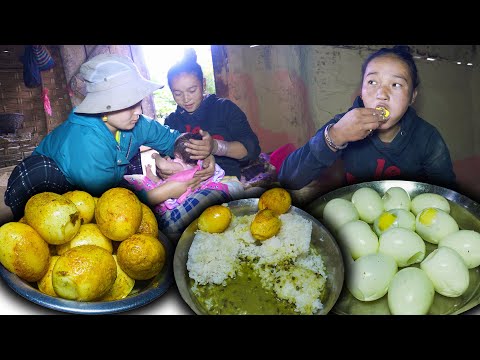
x,y
410,292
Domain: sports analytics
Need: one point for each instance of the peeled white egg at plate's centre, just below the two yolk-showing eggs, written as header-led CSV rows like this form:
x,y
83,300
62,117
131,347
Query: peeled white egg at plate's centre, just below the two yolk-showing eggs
x,y
404,245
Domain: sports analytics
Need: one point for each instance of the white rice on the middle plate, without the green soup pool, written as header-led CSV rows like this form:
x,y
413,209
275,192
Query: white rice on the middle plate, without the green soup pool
x,y
285,263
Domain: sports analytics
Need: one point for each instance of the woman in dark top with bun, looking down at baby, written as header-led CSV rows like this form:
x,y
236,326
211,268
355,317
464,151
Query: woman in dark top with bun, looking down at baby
x,y
224,127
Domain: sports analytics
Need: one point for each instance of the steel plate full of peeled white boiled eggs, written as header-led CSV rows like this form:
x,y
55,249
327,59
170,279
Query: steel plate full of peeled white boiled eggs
x,y
408,247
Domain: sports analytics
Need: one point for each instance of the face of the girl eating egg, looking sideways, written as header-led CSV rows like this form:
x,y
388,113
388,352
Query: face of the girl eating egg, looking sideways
x,y
387,82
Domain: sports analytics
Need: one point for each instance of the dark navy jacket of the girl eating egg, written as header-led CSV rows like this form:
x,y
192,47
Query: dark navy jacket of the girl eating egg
x,y
417,153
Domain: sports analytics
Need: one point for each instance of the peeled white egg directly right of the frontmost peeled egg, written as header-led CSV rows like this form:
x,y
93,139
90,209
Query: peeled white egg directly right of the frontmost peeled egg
x,y
447,271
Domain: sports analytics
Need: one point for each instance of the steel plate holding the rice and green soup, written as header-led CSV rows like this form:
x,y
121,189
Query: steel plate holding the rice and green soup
x,y
321,239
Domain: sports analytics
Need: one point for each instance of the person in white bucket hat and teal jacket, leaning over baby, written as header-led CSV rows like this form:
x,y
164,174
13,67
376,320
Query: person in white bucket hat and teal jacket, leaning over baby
x,y
92,149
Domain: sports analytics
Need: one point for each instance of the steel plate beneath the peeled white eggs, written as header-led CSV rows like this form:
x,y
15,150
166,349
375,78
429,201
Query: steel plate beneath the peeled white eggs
x,y
464,210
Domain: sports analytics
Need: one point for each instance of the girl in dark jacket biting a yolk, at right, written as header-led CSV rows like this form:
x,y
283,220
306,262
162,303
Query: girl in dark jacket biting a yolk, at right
x,y
380,136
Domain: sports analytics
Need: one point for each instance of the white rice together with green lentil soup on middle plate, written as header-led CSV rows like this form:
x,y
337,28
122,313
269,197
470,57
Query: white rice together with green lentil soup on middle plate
x,y
232,273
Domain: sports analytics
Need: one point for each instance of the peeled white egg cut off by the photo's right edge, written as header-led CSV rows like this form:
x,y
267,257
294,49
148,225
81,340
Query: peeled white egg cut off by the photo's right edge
x,y
467,244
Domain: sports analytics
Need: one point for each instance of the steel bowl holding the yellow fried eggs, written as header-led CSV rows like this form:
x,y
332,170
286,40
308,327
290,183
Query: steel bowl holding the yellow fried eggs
x,y
144,291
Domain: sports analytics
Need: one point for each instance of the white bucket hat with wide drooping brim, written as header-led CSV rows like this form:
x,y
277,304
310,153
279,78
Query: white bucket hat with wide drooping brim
x,y
113,83
